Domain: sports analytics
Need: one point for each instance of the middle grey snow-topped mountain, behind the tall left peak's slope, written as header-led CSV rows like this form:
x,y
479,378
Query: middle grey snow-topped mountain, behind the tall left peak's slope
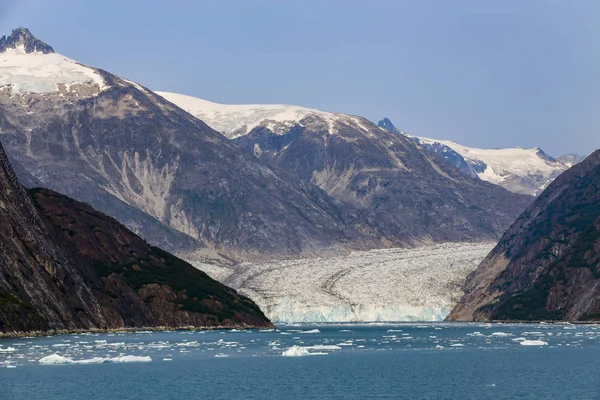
x,y
401,194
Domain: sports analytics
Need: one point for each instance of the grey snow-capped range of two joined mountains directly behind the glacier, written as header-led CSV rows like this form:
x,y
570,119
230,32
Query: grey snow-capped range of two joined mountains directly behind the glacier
x,y
291,182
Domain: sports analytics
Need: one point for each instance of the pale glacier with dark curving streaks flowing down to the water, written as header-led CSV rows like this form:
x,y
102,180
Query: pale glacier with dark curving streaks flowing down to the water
x,y
420,284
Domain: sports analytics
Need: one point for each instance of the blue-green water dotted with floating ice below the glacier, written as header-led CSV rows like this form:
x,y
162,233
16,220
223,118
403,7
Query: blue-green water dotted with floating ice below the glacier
x,y
424,361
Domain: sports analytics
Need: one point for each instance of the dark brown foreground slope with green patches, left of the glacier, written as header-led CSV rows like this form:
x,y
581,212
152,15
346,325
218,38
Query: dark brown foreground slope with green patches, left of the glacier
x,y
65,266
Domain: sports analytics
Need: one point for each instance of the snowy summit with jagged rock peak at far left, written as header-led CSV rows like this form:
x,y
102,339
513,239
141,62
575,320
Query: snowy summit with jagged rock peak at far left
x,y
28,65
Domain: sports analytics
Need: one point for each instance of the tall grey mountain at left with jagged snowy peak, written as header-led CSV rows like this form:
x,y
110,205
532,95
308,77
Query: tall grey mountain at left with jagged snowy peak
x,y
163,173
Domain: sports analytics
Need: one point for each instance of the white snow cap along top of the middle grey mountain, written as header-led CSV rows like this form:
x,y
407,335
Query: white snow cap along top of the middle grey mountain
x,y
237,120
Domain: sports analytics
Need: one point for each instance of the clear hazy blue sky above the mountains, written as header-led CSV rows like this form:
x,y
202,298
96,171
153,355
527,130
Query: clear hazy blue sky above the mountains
x,y
482,73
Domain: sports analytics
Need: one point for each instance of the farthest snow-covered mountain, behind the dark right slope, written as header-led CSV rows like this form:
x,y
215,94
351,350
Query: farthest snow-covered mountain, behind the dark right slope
x,y
525,171
